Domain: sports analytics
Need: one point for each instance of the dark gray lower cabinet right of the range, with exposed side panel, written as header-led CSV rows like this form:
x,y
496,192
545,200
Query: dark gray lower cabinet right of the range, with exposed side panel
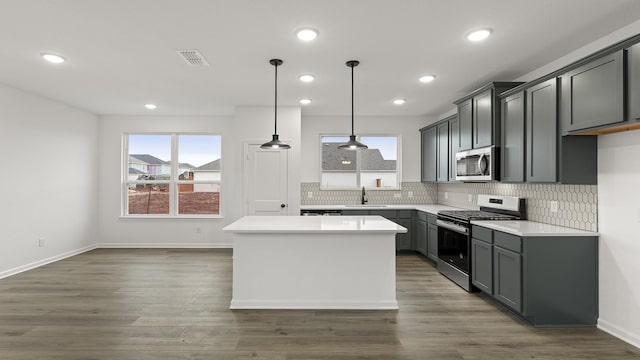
x,y
546,280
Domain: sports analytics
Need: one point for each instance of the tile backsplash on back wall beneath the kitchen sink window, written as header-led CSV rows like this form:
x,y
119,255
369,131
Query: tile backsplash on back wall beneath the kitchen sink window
x,y
410,193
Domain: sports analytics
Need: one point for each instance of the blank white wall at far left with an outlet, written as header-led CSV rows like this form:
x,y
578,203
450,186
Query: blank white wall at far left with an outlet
x,y
51,188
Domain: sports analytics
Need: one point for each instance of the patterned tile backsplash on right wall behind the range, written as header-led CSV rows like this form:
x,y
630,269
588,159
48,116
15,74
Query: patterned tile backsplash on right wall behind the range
x,y
577,204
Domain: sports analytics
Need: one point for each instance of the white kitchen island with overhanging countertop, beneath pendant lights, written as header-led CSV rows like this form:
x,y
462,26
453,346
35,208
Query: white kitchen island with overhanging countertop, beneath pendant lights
x,y
317,262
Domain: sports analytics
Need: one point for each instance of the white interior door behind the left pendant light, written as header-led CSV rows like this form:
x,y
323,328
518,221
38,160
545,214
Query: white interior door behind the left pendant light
x,y
267,172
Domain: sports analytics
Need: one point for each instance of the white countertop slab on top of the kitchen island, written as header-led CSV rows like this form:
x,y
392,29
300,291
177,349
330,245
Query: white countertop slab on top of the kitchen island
x,y
314,224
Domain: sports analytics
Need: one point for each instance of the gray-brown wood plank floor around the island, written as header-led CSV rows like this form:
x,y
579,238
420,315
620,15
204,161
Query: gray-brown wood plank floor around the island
x,y
173,304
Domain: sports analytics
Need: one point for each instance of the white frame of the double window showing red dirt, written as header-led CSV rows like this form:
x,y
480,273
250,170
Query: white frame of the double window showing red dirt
x,y
173,182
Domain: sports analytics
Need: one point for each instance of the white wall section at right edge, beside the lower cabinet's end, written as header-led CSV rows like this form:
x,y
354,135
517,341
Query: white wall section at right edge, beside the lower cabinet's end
x,y
619,227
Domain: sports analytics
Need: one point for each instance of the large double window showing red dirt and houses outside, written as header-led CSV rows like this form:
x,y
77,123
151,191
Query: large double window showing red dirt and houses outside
x,y
172,174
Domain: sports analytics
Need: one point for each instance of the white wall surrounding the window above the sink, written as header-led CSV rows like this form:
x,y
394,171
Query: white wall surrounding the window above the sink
x,y
407,127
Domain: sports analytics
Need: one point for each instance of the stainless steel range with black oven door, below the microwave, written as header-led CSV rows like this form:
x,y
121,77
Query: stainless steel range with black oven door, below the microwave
x,y
454,233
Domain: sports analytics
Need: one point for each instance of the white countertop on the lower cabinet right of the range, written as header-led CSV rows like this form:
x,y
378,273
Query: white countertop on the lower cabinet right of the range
x,y
532,228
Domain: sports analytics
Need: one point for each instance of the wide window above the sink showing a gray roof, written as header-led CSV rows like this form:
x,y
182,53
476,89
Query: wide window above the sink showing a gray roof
x,y
374,168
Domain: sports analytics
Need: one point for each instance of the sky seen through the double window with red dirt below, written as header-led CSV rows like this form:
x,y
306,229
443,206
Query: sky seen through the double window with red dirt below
x,y
196,150
